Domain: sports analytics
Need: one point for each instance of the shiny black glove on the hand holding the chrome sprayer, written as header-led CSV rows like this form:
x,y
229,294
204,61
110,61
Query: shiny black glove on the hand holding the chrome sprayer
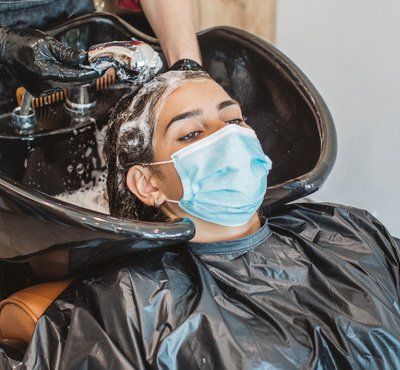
x,y
41,62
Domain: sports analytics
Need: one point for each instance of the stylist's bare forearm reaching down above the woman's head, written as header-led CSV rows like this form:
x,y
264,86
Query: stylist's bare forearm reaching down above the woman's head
x,y
173,23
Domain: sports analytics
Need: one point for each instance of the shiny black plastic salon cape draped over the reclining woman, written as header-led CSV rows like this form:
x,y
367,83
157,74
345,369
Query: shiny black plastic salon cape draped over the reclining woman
x,y
320,290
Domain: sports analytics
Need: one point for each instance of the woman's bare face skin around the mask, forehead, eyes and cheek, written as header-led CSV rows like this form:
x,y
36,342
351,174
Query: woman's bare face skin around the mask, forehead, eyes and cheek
x,y
193,111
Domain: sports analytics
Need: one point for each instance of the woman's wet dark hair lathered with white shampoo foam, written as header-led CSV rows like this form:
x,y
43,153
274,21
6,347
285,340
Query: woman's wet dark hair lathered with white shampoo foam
x,y
129,142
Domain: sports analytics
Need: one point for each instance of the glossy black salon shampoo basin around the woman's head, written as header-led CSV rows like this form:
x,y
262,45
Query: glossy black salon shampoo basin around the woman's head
x,y
288,114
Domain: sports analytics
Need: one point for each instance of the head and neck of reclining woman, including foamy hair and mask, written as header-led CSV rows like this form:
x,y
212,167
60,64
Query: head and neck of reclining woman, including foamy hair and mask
x,y
181,148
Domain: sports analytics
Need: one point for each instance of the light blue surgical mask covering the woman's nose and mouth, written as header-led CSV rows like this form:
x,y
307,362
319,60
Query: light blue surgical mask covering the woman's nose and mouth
x,y
224,176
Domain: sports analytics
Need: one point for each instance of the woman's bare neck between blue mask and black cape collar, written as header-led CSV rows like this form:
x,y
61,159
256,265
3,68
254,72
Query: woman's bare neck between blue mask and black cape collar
x,y
207,232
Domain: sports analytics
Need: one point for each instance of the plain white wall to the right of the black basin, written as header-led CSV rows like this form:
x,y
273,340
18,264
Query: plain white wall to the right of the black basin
x,y
350,50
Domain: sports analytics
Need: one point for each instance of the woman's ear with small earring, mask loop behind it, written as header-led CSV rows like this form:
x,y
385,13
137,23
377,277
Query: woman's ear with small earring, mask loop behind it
x,y
140,182
